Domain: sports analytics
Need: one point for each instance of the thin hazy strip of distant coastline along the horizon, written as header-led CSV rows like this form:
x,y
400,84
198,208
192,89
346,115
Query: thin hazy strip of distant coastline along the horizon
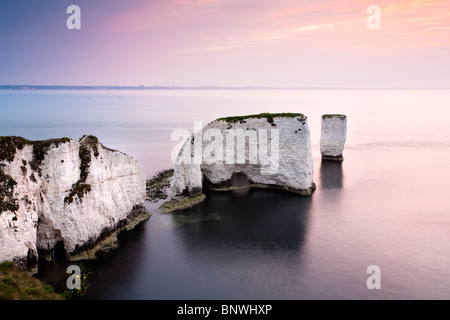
x,y
61,87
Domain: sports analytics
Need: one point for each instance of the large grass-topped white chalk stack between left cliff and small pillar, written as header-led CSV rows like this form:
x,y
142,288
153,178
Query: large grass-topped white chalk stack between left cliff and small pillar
x,y
266,150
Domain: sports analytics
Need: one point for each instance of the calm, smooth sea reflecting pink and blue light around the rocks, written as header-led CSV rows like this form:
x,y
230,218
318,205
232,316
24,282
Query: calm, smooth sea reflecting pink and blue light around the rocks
x,y
387,204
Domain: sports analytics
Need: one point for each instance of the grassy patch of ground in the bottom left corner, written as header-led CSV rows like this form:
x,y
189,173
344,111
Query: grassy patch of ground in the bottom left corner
x,y
17,284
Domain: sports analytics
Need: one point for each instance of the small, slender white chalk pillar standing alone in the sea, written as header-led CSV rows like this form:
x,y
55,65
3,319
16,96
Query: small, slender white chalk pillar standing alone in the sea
x,y
333,136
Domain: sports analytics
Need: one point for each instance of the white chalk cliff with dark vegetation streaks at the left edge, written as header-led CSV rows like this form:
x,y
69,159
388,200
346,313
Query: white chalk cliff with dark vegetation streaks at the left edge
x,y
78,194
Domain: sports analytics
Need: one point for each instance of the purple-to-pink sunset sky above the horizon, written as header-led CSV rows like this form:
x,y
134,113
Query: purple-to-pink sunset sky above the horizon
x,y
285,43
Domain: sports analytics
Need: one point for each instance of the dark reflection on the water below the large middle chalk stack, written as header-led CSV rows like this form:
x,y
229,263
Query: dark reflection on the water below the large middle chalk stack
x,y
249,219
